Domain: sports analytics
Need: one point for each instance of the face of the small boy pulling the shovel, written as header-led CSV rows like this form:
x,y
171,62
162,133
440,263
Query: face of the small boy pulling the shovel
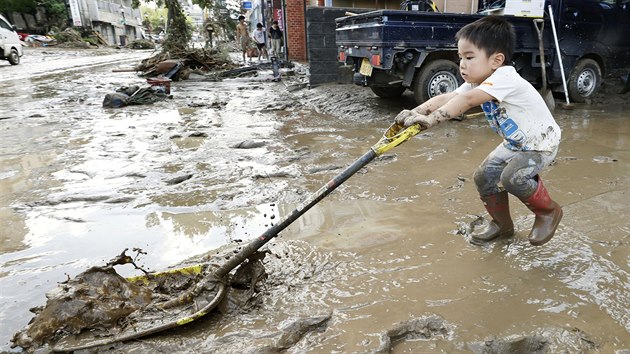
x,y
475,65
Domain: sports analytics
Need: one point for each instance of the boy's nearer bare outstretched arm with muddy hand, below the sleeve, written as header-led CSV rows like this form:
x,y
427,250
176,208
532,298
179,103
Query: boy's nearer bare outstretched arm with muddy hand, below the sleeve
x,y
454,107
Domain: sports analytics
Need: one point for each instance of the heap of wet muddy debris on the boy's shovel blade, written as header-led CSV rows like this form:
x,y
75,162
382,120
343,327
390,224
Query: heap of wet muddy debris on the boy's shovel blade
x,y
99,307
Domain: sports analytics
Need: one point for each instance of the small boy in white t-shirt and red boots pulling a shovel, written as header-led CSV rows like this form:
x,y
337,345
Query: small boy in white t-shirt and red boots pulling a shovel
x,y
516,112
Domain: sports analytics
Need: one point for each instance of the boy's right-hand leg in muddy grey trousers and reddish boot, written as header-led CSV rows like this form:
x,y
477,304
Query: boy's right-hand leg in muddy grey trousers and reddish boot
x,y
521,178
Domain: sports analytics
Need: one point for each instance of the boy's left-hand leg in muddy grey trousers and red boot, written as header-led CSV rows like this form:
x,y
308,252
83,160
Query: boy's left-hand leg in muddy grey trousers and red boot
x,y
487,177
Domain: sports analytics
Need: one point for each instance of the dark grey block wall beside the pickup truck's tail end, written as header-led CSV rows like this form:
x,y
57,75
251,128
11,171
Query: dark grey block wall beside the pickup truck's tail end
x,y
322,50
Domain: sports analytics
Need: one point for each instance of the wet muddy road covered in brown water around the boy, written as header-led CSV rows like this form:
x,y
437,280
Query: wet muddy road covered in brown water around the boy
x,y
363,271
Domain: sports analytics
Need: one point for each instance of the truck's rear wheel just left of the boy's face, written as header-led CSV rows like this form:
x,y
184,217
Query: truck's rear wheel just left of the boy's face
x,y
437,77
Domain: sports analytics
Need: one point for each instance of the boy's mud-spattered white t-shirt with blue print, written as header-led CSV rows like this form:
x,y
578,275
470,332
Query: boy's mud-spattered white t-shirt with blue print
x,y
518,113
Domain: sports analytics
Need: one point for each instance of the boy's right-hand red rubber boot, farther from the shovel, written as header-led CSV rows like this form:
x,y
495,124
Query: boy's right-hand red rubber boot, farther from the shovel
x,y
548,214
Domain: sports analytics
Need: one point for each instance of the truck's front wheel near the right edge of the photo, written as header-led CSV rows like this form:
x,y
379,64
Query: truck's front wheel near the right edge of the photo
x,y
585,80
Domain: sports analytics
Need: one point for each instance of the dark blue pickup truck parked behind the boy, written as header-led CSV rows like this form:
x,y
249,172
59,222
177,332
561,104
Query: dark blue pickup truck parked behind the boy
x,y
397,50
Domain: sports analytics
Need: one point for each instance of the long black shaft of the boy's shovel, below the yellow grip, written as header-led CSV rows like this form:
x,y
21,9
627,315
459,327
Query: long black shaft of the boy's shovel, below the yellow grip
x,y
254,245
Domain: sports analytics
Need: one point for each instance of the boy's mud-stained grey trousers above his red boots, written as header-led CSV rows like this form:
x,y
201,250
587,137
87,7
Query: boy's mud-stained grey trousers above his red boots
x,y
515,170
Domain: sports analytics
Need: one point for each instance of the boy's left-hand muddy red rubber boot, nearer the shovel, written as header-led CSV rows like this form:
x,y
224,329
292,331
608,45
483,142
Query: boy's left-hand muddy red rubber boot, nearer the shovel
x,y
501,225
